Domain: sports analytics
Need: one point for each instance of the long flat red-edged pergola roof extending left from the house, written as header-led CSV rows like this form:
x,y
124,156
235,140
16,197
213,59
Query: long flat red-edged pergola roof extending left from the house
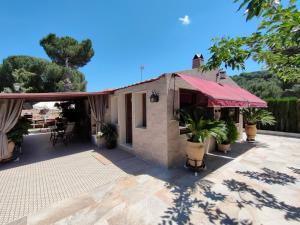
x,y
53,96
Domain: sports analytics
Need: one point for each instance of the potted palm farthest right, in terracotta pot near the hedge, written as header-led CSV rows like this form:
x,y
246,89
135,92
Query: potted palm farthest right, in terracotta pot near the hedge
x,y
254,115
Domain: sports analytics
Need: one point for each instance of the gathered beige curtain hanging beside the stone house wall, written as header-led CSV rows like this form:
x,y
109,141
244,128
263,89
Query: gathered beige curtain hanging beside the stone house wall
x,y
98,105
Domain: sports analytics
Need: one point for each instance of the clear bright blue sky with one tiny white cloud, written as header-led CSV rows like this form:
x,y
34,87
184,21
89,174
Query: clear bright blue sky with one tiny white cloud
x,y
162,35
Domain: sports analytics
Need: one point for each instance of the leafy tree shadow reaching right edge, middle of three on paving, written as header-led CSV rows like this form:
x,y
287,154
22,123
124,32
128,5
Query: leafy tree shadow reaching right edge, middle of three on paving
x,y
262,199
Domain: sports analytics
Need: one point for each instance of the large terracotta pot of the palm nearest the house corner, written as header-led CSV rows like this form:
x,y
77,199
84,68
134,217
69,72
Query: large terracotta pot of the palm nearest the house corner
x,y
195,153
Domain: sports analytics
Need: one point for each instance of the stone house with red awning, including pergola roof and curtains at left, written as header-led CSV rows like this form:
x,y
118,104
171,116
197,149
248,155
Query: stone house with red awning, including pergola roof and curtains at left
x,y
145,112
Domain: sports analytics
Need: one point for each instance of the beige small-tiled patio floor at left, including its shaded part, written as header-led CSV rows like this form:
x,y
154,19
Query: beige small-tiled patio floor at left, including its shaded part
x,y
45,175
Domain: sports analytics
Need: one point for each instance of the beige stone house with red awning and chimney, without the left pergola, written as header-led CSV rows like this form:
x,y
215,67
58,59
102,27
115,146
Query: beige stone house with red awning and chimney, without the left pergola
x,y
145,112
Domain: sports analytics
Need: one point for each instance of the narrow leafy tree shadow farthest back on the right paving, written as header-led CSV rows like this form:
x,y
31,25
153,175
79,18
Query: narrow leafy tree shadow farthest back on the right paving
x,y
269,176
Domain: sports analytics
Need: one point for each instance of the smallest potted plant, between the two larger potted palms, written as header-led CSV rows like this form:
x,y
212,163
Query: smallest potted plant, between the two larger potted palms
x,y
232,135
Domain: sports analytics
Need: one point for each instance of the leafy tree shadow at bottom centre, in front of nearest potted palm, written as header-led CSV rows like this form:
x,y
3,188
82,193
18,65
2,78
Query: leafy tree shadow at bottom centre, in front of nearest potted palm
x,y
185,203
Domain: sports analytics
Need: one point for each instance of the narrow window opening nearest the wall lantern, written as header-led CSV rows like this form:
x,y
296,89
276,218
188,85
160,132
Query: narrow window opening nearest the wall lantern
x,y
140,110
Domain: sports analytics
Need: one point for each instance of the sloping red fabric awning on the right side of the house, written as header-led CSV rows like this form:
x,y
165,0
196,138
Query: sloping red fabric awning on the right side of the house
x,y
224,95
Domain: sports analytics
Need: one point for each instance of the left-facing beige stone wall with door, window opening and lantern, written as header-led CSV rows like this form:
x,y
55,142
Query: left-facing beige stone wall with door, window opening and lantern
x,y
148,142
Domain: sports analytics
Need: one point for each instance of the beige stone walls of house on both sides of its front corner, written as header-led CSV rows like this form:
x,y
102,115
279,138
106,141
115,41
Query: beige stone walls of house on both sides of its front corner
x,y
159,141
